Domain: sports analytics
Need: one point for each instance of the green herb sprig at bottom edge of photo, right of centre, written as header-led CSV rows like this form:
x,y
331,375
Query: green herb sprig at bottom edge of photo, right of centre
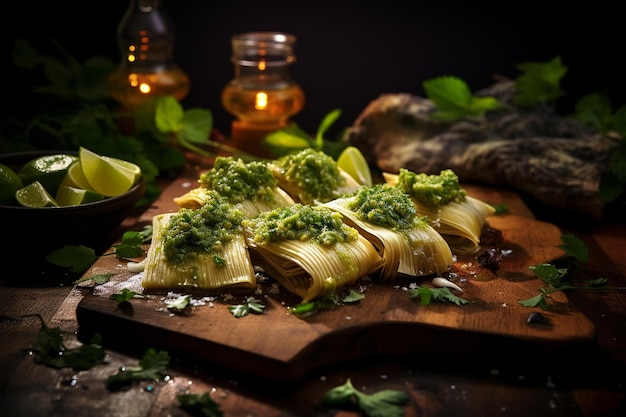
x,y
385,403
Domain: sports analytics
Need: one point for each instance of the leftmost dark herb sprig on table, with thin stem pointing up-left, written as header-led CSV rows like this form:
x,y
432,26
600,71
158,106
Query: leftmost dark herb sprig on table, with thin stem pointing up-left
x,y
51,350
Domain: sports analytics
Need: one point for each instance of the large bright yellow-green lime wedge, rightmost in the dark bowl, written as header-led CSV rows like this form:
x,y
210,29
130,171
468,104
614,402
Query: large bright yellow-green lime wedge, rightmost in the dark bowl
x,y
107,175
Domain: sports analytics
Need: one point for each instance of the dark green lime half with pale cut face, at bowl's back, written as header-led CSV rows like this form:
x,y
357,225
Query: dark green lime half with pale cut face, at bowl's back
x,y
49,170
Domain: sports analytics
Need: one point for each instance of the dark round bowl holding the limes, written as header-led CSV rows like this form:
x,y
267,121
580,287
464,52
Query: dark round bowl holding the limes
x,y
35,232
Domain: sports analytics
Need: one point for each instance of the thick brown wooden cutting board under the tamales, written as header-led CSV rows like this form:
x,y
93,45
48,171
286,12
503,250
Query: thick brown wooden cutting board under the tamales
x,y
386,323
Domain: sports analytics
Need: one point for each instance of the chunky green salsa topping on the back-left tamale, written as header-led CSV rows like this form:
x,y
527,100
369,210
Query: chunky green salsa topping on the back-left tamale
x,y
239,181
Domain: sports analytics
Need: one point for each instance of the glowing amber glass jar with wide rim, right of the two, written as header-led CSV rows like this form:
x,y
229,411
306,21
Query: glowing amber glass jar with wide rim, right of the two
x,y
262,94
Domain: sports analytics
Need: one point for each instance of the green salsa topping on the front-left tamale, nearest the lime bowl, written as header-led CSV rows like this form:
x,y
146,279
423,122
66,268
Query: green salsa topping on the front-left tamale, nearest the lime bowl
x,y
203,231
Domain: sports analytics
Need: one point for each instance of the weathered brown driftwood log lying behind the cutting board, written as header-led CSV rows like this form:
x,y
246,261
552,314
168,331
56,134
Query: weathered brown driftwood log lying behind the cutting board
x,y
551,158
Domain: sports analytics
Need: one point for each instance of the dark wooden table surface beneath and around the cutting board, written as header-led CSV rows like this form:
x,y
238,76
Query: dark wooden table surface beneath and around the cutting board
x,y
591,382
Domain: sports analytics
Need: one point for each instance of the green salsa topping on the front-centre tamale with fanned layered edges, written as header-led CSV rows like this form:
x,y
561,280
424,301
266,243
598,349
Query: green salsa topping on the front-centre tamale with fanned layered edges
x,y
302,222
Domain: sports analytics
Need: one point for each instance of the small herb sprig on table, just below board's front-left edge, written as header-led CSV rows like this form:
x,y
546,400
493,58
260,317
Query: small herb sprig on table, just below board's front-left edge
x,y
152,367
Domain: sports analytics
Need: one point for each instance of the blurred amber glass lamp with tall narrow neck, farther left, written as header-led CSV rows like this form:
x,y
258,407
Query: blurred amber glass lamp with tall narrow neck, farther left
x,y
145,37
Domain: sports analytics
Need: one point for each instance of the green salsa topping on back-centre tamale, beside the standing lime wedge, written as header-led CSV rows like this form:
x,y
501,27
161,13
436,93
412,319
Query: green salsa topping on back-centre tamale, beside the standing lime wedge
x,y
314,172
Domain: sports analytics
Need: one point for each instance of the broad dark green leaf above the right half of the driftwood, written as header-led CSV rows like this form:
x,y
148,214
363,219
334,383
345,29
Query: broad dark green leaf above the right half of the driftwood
x,y
539,82
